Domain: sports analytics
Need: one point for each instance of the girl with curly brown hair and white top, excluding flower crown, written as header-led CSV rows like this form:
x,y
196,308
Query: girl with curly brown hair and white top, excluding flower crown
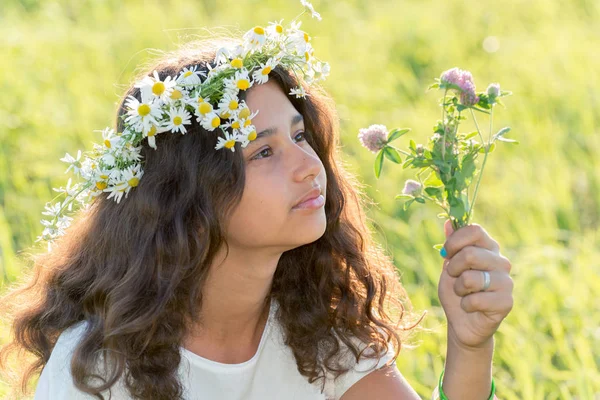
x,y
243,274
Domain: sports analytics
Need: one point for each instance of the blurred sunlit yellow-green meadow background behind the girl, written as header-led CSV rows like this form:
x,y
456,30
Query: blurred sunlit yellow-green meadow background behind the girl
x,y
65,64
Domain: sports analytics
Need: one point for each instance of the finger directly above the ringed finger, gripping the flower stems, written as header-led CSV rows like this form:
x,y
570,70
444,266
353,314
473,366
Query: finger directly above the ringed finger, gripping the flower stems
x,y
472,257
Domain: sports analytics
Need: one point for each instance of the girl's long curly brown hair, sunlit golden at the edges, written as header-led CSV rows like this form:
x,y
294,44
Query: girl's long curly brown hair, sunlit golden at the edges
x,y
135,270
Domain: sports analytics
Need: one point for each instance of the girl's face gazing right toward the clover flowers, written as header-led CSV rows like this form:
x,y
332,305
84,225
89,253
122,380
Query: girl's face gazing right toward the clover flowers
x,y
281,168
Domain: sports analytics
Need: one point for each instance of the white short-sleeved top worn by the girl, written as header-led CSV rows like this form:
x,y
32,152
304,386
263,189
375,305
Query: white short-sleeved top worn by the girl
x,y
270,374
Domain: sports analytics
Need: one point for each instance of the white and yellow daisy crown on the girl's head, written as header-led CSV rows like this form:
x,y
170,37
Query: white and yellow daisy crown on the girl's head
x,y
170,104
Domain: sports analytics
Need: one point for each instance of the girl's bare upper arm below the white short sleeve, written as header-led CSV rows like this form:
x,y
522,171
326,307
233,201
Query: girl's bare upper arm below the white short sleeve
x,y
382,384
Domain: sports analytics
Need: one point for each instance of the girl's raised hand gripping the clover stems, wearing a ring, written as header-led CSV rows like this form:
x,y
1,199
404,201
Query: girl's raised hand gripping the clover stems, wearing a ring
x,y
474,316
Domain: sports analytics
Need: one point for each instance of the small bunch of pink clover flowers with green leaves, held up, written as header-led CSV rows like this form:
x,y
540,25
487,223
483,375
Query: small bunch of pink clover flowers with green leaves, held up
x,y
450,156
